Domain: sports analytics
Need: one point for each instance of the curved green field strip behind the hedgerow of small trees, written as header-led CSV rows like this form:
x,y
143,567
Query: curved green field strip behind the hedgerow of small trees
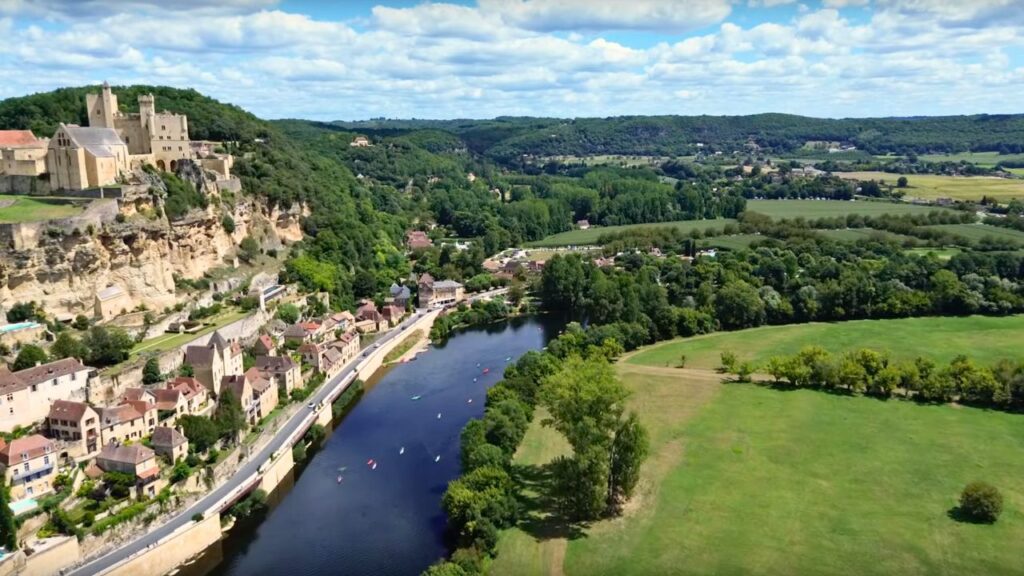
x,y
988,339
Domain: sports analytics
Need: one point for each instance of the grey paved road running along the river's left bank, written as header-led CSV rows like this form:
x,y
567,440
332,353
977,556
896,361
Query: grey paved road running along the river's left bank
x,y
250,468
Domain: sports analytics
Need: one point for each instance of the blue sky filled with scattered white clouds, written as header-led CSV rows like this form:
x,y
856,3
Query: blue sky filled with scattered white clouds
x,y
358,60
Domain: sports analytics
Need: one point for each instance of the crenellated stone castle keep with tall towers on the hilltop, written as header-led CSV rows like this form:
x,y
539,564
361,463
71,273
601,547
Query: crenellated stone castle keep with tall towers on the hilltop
x,y
163,135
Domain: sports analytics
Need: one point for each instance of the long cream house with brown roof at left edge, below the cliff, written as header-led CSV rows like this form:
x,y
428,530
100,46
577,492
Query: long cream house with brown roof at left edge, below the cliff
x,y
26,396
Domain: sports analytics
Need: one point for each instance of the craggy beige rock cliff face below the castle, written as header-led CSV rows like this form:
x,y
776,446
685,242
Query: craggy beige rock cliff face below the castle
x,y
65,269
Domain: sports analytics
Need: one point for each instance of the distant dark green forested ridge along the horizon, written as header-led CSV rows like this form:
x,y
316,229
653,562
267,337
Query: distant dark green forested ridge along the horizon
x,y
508,139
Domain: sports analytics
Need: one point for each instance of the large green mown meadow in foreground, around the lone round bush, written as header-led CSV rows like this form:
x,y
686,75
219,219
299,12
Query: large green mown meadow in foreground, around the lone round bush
x,y
749,480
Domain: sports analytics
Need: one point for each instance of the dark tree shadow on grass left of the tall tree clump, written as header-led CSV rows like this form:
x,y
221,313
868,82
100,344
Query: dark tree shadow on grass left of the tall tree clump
x,y
540,515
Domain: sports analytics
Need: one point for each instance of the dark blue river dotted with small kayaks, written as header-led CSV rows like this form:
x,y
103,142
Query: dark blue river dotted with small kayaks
x,y
385,521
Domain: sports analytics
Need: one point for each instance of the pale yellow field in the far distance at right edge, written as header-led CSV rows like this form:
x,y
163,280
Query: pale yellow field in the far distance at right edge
x,y
960,188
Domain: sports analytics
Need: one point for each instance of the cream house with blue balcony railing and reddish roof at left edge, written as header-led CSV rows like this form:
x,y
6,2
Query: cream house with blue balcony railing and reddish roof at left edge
x,y
29,467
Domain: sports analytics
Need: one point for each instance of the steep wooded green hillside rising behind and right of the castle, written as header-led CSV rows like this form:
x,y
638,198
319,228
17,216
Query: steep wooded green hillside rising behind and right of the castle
x,y
355,233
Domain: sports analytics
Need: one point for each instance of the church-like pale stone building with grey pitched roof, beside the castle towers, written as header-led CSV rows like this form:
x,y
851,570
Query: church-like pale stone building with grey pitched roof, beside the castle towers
x,y
83,158
